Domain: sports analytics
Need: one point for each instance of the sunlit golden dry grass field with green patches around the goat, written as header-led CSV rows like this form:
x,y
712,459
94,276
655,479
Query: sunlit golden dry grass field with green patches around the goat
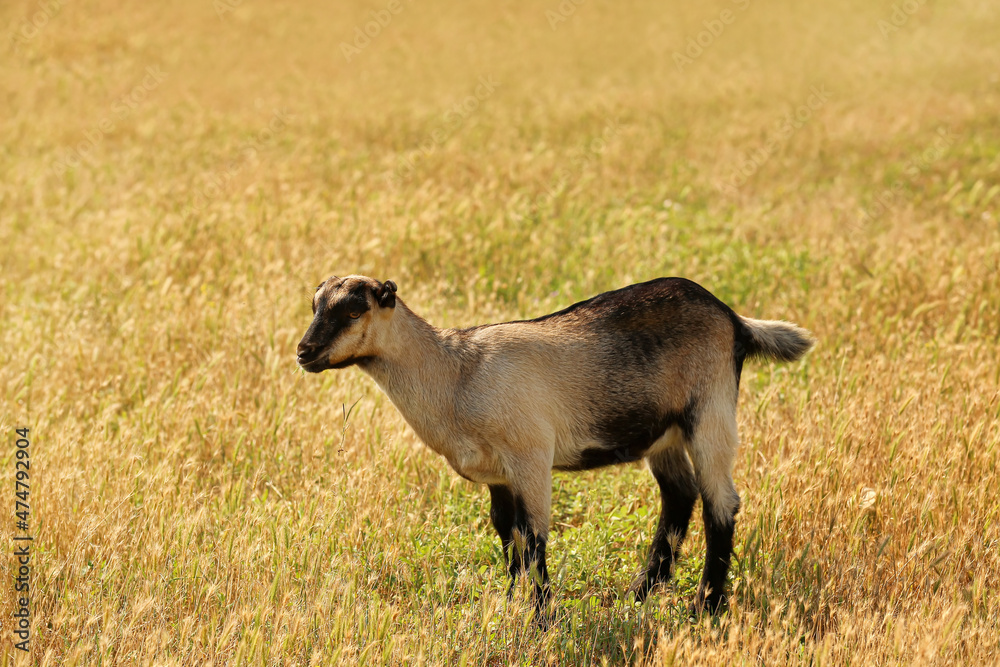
x,y
177,177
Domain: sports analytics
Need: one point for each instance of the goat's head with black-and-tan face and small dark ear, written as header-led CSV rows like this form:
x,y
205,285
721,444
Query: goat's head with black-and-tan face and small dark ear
x,y
348,314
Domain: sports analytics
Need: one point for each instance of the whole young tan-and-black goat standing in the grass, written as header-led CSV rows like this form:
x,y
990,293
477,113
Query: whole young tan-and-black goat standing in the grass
x,y
649,371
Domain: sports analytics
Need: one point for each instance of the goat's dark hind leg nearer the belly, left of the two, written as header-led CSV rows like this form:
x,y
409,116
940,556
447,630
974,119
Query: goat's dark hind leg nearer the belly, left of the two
x,y
678,493
